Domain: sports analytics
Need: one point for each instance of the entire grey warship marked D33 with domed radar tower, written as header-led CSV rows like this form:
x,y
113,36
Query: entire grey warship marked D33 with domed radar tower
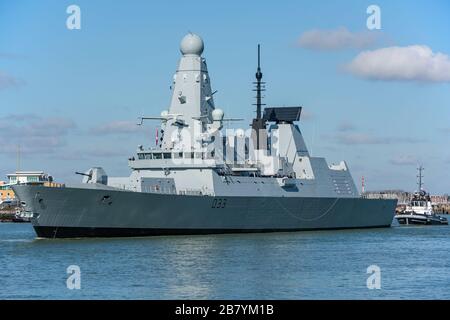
x,y
198,180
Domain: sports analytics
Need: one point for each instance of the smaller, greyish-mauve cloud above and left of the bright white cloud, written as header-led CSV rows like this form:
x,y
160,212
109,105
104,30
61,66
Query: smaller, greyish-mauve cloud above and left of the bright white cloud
x,y
337,39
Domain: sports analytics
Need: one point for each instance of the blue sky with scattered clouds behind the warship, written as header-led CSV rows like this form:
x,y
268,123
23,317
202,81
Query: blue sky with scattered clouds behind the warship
x,y
69,97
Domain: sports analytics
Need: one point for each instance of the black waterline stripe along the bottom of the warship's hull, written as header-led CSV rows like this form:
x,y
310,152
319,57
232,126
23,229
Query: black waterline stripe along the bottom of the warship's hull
x,y
81,232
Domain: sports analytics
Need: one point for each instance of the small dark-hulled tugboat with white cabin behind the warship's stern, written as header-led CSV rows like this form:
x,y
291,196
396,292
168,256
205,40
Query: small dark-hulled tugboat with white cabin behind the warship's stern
x,y
420,211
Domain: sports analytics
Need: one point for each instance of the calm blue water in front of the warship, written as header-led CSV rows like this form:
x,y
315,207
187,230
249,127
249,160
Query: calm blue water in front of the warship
x,y
414,262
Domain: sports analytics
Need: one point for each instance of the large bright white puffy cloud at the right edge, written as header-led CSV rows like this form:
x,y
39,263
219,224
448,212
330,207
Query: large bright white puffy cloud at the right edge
x,y
411,63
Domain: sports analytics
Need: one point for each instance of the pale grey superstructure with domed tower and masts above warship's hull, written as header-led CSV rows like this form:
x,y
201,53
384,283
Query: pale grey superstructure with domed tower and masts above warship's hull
x,y
195,158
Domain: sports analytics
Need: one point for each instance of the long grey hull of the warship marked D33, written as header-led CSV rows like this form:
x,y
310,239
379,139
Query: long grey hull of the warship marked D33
x,y
78,212
